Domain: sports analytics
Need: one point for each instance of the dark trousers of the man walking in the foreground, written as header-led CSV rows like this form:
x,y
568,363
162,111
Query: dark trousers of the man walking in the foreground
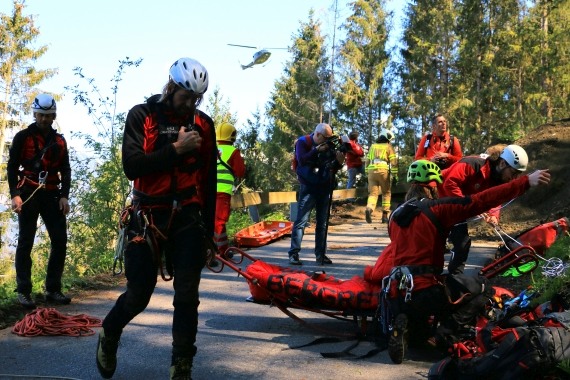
x,y
186,246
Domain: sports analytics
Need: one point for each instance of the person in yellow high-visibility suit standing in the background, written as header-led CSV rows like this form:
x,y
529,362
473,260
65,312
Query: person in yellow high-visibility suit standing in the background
x,y
382,169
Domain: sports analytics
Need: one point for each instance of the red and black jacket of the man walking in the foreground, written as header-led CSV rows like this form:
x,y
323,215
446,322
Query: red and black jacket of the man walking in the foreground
x,y
150,160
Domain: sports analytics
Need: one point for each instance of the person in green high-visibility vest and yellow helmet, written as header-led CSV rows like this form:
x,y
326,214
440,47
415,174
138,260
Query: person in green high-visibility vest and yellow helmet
x,y
231,166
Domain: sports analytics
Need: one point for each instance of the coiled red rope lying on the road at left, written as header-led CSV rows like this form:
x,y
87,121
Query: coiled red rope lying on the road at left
x,y
49,321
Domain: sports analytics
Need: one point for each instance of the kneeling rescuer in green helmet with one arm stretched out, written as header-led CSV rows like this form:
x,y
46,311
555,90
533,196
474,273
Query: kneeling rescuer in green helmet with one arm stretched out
x,y
410,268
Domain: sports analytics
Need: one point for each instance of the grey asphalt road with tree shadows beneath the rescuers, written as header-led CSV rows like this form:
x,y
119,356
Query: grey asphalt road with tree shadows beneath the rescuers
x,y
236,339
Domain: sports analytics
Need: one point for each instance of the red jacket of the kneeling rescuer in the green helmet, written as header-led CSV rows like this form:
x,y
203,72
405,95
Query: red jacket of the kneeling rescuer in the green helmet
x,y
421,243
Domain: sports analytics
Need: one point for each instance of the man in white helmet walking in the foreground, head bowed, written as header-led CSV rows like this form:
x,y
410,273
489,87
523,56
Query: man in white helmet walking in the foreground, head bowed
x,y
169,151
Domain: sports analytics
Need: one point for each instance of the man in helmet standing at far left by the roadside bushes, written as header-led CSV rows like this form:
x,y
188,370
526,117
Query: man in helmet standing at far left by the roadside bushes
x,y
39,176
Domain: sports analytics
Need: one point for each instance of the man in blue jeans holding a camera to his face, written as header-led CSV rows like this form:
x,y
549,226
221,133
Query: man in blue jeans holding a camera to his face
x,y
318,161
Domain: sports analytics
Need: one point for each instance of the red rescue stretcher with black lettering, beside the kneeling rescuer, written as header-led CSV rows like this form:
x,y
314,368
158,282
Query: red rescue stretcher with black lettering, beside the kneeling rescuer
x,y
353,300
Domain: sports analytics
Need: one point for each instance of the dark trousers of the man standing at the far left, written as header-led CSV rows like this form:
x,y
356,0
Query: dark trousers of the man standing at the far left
x,y
45,204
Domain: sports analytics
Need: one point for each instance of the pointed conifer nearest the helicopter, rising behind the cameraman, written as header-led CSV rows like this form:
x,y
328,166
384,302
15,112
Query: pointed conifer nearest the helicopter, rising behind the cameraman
x,y
297,104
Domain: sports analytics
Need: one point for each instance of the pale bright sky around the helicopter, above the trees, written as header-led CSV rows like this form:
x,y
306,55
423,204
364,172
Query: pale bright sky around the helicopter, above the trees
x,y
96,35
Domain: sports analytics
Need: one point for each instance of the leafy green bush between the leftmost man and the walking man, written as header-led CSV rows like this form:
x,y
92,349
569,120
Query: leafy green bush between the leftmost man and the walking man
x,y
99,187
